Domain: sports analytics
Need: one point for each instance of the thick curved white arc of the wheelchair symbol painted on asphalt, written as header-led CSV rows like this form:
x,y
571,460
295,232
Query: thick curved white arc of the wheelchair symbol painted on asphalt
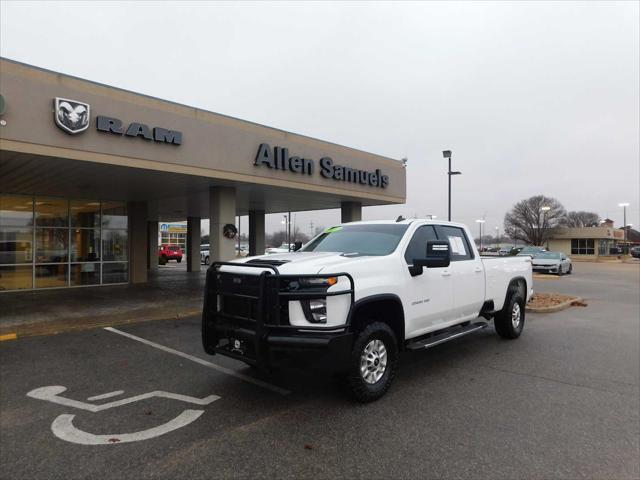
x,y
63,428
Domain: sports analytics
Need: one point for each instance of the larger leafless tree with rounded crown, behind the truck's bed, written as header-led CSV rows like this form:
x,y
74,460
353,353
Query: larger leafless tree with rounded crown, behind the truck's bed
x,y
534,219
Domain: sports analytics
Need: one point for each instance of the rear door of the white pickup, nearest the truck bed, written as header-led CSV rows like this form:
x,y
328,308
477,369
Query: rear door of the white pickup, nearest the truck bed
x,y
467,273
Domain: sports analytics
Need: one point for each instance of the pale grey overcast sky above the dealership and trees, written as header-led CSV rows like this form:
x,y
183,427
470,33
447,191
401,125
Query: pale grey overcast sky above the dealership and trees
x,y
533,98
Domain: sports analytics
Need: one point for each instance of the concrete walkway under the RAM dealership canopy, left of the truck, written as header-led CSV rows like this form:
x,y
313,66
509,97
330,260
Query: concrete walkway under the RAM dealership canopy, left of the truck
x,y
172,292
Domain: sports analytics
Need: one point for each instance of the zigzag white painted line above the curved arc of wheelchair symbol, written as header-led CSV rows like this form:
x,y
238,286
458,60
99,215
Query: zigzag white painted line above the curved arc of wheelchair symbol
x,y
51,394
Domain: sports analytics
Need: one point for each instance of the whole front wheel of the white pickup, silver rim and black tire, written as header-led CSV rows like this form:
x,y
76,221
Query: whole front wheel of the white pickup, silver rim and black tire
x,y
373,362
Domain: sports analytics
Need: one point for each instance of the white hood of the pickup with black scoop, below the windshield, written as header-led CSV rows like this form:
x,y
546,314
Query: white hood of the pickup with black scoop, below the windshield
x,y
306,262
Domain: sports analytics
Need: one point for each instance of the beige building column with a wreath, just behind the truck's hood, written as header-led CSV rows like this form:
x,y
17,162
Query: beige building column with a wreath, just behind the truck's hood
x,y
222,211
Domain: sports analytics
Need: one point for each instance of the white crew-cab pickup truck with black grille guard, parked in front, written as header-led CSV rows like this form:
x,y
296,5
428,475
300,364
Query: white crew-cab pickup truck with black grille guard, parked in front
x,y
359,293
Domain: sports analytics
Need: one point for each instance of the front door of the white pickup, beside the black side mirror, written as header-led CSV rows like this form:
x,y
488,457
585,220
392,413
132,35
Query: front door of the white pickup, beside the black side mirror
x,y
430,295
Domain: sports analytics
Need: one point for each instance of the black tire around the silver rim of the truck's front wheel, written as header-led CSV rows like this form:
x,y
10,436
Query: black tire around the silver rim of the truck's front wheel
x,y
361,390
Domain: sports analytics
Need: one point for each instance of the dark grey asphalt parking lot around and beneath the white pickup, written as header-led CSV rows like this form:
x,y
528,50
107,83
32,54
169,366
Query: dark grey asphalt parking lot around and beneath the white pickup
x,y
562,401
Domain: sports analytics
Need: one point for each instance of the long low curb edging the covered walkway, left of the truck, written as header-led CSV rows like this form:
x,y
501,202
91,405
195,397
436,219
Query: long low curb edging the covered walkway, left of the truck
x,y
88,323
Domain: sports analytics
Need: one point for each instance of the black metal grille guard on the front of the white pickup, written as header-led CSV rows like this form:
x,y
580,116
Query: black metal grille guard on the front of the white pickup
x,y
264,308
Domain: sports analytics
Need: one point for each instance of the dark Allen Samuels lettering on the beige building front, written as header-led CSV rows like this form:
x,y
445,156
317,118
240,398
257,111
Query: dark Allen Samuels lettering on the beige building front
x,y
278,158
